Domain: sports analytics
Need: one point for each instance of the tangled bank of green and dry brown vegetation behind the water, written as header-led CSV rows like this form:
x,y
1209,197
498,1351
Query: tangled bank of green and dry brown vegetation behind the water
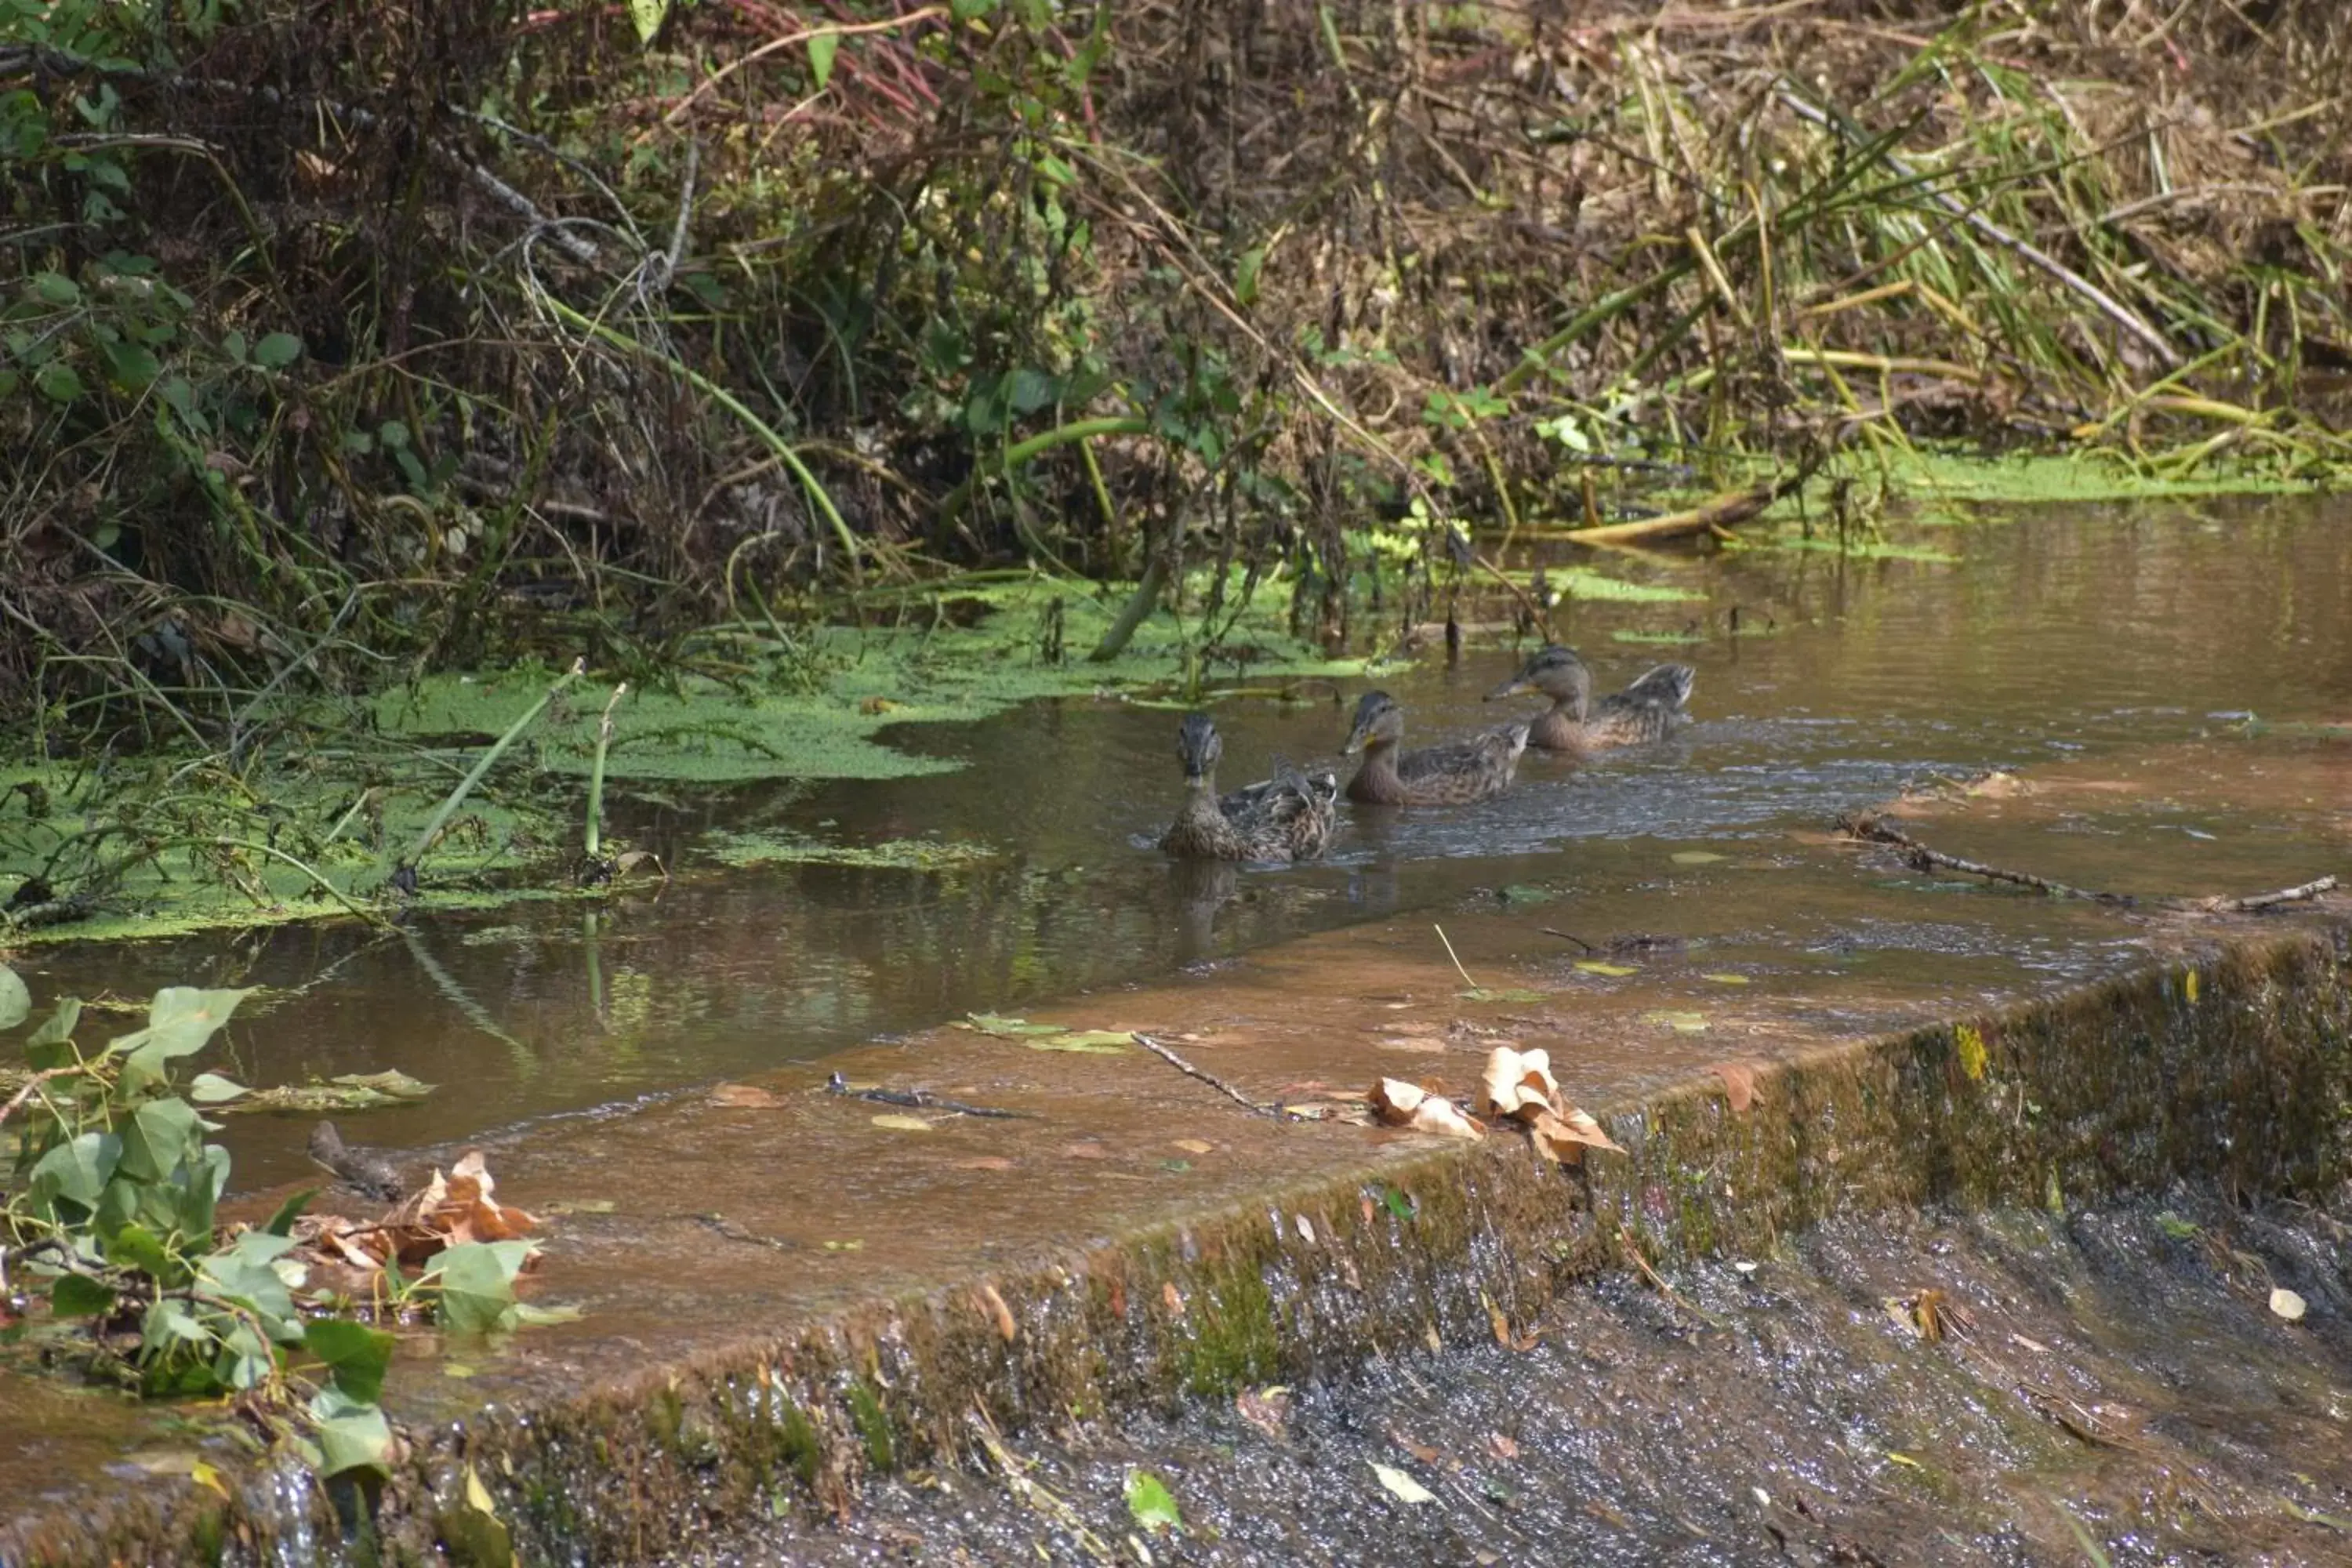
x,y
352,349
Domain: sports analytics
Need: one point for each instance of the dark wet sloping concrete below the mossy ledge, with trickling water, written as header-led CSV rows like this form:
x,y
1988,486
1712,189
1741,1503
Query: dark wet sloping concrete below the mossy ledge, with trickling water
x,y
2099,1388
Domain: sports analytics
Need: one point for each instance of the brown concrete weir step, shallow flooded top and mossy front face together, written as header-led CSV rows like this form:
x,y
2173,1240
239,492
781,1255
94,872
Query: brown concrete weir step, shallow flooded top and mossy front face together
x,y
784,1296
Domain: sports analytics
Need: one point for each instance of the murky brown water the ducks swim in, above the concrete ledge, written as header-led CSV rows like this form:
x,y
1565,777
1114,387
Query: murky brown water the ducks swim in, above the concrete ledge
x,y
2099,641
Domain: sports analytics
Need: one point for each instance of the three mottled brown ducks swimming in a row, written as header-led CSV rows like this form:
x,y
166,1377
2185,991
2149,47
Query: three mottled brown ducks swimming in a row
x,y
1295,815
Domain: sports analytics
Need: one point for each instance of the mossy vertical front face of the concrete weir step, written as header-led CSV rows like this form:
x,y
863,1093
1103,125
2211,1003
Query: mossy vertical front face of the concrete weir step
x,y
2233,1068
